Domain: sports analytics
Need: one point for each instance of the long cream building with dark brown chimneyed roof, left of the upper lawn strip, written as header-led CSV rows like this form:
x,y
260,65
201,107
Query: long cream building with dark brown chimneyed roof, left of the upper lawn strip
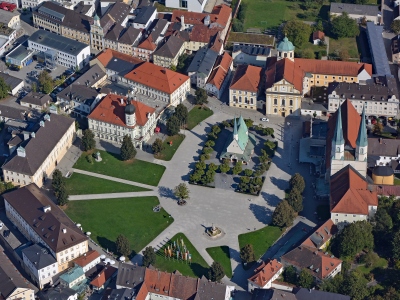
x,y
38,153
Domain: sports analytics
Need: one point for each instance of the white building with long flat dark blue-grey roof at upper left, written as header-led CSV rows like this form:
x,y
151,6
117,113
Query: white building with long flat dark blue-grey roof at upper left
x,y
65,52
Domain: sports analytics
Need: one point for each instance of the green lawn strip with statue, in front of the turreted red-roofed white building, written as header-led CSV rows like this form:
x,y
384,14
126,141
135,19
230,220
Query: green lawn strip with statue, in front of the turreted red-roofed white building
x,y
111,165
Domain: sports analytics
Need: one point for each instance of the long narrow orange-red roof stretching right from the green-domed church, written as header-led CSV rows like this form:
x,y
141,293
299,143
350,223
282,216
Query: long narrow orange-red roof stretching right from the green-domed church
x,y
331,67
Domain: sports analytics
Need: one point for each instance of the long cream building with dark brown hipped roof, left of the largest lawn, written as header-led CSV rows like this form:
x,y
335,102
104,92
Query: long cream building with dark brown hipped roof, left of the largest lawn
x,y
42,221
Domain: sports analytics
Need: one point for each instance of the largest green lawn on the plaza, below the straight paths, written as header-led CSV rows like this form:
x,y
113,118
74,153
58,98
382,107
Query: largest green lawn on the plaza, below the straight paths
x,y
132,217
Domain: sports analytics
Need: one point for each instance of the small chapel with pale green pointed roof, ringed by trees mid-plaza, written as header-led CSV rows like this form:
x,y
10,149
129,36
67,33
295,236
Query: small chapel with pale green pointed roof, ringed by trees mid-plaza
x,y
239,146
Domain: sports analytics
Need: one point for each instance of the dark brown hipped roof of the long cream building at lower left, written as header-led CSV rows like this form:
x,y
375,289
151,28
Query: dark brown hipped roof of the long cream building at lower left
x,y
29,201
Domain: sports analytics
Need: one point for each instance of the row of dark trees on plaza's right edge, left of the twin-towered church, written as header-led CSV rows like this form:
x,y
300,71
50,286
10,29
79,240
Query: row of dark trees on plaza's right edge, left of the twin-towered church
x,y
286,210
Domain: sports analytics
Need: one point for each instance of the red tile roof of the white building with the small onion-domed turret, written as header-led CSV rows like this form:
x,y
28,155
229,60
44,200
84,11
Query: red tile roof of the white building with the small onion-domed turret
x,y
111,110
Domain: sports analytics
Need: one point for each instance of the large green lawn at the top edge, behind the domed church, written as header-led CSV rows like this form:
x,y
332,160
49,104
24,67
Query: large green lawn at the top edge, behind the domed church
x,y
271,13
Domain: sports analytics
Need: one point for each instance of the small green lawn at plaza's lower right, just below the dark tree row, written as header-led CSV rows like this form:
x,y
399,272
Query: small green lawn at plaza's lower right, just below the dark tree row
x,y
261,239
